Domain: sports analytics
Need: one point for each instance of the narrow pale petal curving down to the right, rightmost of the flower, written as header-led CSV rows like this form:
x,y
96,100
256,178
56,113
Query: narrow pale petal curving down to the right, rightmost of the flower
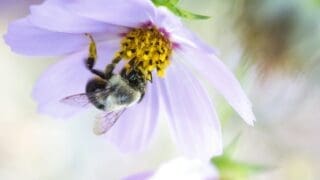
x,y
210,67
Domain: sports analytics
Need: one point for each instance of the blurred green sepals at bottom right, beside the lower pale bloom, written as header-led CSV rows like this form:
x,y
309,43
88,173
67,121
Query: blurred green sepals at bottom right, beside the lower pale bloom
x,y
232,169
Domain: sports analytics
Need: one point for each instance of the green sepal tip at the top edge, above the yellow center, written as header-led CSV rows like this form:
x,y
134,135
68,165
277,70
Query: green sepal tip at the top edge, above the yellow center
x,y
172,6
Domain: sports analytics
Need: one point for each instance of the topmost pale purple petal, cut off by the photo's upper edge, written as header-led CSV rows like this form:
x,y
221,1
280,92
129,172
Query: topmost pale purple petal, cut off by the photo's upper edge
x,y
129,13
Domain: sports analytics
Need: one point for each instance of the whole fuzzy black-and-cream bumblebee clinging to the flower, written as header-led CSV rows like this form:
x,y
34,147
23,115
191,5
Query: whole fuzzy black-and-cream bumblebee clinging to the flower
x,y
110,92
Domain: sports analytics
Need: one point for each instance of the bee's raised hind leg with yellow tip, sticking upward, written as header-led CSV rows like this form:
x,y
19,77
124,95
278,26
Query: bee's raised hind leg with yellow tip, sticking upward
x,y
90,61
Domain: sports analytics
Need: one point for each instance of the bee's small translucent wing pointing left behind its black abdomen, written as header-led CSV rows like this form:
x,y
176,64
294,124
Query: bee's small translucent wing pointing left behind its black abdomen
x,y
79,100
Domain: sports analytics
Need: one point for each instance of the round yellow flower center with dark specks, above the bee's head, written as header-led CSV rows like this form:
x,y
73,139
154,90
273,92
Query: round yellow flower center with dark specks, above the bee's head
x,y
146,49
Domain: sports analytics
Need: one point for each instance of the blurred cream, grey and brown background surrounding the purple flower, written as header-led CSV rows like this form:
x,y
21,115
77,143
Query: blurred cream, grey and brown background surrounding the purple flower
x,y
273,48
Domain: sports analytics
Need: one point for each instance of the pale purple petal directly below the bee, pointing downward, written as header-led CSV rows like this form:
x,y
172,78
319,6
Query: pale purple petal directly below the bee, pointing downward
x,y
134,129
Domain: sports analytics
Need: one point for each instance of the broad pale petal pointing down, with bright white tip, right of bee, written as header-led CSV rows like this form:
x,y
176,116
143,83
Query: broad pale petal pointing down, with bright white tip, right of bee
x,y
193,118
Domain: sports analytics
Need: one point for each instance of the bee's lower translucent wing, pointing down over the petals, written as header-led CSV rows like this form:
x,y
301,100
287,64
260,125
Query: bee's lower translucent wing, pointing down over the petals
x,y
106,121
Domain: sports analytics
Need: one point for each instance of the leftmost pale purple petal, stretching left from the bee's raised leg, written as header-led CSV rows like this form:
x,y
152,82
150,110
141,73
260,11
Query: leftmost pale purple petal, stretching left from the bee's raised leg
x,y
24,38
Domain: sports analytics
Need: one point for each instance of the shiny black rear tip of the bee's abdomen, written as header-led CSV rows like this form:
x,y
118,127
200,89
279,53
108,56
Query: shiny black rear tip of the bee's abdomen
x,y
94,87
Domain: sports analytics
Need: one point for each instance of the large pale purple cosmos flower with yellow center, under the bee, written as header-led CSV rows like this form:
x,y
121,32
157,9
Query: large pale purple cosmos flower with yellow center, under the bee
x,y
58,27
